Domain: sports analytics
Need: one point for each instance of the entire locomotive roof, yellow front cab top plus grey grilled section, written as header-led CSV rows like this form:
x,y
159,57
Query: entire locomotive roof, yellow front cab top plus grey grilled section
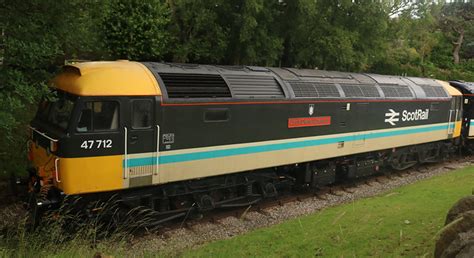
x,y
193,82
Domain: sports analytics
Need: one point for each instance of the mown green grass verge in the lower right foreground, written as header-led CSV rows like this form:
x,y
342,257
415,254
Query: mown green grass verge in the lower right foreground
x,y
401,222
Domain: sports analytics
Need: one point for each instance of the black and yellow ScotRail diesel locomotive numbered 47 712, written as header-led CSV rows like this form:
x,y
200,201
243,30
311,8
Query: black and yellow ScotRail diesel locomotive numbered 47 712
x,y
181,137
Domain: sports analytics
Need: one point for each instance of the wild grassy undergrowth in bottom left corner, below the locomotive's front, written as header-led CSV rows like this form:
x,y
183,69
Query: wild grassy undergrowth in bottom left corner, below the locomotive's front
x,y
66,232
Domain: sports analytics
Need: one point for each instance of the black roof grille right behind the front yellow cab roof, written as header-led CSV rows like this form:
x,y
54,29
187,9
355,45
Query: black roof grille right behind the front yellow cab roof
x,y
187,85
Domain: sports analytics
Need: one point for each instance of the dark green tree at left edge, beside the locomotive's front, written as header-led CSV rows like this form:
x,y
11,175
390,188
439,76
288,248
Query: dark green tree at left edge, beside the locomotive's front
x,y
38,36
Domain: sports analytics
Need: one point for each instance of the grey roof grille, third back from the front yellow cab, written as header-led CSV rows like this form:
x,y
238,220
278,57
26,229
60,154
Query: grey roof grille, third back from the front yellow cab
x,y
312,89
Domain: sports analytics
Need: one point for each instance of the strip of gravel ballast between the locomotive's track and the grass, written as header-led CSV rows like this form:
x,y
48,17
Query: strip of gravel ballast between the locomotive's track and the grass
x,y
173,242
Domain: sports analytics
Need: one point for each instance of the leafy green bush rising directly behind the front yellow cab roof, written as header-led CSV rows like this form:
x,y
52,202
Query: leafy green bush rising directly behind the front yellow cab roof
x,y
136,29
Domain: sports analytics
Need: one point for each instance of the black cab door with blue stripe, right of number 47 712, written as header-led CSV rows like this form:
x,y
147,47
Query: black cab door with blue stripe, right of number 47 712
x,y
142,145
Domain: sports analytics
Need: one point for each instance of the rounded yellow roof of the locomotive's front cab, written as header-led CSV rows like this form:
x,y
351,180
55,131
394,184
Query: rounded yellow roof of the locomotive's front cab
x,y
107,79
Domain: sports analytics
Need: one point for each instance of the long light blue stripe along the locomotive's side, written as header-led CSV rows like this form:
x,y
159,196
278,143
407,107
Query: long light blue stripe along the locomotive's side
x,y
148,161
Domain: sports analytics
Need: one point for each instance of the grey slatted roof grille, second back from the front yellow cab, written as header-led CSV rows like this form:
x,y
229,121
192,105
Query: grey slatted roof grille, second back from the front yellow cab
x,y
254,86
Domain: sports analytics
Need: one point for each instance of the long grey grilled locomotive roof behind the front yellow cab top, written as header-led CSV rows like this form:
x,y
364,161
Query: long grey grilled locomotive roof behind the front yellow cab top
x,y
191,81
